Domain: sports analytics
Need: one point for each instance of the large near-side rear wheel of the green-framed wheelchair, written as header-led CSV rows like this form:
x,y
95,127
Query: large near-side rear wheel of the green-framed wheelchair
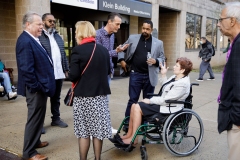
x,y
183,132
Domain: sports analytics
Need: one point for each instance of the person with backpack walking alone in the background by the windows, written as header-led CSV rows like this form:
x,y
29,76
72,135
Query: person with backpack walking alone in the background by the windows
x,y
206,54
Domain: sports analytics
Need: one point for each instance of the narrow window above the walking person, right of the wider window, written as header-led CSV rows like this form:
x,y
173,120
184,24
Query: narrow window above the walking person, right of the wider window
x,y
211,31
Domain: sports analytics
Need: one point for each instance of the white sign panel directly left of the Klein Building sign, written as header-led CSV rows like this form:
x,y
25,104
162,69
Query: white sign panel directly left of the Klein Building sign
x,y
91,4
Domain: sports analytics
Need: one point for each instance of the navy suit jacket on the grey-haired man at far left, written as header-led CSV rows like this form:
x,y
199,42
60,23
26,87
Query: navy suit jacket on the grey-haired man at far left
x,y
35,69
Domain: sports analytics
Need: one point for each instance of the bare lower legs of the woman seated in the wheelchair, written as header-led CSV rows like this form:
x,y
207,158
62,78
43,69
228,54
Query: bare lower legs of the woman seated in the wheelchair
x,y
136,115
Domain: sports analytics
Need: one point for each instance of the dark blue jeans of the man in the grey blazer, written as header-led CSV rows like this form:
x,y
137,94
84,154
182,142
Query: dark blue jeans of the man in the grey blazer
x,y
138,82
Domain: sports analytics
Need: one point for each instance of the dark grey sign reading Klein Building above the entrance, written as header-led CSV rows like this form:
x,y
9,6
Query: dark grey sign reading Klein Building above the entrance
x,y
128,7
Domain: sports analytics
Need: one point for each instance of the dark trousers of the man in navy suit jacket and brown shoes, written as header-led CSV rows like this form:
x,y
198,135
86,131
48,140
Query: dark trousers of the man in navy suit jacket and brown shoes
x,y
36,103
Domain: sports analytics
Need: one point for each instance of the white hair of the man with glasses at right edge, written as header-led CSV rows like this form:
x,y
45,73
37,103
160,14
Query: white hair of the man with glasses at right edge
x,y
233,10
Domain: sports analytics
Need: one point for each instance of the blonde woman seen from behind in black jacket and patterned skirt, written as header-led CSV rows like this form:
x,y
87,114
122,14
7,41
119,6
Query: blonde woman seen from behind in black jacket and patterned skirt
x,y
90,110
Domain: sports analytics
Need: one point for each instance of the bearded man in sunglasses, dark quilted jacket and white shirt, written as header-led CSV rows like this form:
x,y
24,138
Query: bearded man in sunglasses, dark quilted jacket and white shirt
x,y
54,45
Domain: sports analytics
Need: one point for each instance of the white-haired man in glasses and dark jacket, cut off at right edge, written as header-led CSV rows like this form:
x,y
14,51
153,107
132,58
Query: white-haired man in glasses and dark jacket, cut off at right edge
x,y
229,98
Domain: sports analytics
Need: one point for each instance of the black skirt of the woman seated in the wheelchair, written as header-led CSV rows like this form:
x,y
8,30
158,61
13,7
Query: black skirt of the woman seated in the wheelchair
x,y
149,109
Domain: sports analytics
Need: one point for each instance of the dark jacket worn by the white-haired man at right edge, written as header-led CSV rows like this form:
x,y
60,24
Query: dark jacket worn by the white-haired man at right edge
x,y
229,108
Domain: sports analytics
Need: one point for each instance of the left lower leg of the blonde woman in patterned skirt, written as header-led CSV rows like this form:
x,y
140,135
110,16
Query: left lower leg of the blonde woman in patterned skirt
x,y
84,144
